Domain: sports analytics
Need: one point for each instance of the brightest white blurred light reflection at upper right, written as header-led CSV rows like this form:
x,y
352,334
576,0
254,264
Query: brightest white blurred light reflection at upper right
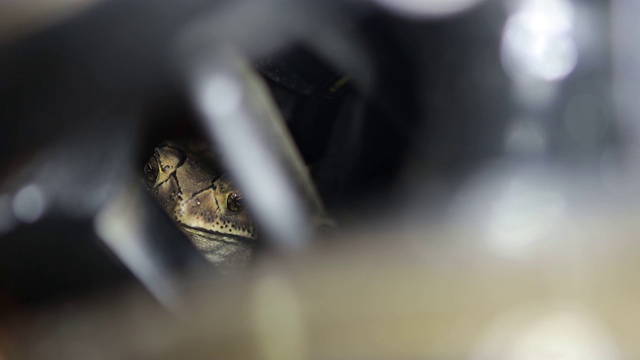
x,y
538,42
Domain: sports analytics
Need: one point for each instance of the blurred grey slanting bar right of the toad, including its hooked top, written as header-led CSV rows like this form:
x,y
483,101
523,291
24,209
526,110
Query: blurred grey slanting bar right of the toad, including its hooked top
x,y
240,115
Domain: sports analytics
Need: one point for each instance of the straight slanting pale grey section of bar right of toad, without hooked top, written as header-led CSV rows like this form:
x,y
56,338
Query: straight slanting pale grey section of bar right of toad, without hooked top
x,y
245,125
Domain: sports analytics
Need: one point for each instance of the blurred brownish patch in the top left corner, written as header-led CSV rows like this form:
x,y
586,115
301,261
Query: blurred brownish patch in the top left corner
x,y
19,18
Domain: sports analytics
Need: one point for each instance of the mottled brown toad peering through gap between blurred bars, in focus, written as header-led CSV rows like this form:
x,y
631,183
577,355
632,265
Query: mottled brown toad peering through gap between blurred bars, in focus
x,y
189,185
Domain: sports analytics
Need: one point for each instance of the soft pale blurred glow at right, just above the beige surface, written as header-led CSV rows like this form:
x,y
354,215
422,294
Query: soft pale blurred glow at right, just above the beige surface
x,y
514,209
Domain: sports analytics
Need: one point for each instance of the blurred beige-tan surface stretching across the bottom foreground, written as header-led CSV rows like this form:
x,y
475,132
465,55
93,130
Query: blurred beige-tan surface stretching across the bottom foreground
x,y
383,299
